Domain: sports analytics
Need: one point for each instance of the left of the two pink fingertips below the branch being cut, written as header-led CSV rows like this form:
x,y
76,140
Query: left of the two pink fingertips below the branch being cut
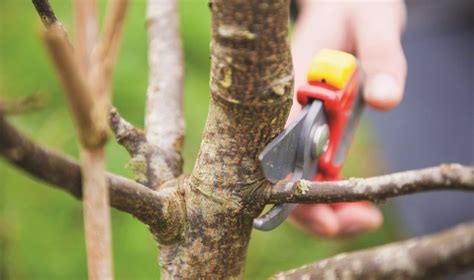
x,y
318,219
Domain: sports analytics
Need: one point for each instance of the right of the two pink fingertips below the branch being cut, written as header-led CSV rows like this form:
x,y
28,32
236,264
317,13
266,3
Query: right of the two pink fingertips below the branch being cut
x,y
357,217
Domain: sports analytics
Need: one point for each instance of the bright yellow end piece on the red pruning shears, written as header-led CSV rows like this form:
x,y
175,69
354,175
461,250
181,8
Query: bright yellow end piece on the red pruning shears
x,y
332,67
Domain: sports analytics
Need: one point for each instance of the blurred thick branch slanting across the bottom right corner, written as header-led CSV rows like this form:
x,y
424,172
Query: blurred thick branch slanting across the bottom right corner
x,y
427,257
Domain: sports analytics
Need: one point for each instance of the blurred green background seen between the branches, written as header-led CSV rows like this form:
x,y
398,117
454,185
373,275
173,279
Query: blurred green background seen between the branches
x,y
41,234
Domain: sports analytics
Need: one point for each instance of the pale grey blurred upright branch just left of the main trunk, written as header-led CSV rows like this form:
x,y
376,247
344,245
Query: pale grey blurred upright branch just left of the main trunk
x,y
164,121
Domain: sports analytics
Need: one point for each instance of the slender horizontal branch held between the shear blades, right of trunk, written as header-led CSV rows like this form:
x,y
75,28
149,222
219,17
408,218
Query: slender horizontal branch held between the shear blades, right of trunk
x,y
443,177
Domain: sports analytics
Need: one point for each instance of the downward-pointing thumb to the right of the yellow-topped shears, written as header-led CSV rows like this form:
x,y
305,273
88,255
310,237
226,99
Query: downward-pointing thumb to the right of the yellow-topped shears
x,y
377,31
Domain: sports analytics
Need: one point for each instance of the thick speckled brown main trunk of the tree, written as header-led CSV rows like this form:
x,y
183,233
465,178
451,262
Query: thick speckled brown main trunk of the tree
x,y
251,87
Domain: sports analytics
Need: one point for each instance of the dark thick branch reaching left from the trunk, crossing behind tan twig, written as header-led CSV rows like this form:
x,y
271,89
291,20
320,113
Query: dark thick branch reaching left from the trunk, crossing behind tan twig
x,y
64,173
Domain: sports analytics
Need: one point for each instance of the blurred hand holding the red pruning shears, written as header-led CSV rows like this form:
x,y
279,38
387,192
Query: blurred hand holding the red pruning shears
x,y
372,31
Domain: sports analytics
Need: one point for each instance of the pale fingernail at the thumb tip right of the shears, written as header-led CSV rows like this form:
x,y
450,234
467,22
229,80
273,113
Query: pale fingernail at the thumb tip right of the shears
x,y
382,87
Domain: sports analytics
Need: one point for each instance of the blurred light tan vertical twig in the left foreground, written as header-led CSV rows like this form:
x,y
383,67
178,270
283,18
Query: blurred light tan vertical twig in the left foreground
x,y
95,191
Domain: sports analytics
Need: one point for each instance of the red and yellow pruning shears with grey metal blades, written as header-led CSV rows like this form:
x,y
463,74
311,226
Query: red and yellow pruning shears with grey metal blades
x,y
314,146
